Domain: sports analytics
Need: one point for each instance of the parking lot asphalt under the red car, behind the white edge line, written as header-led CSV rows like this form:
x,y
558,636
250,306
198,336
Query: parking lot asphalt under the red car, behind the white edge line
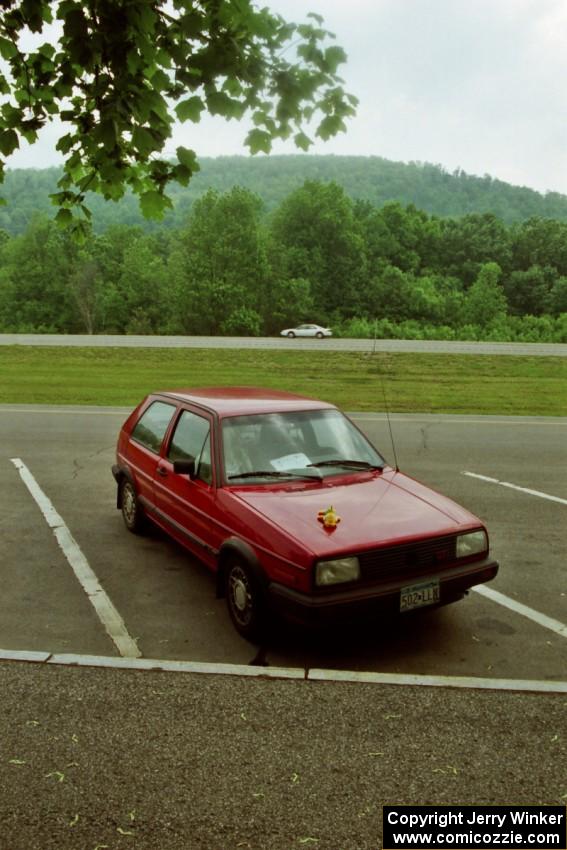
x,y
166,599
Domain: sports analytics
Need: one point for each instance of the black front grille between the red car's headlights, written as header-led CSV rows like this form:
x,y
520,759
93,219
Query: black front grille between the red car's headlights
x,y
407,559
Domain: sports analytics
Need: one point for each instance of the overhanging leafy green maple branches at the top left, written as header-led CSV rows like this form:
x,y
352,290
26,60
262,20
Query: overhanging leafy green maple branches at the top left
x,y
119,73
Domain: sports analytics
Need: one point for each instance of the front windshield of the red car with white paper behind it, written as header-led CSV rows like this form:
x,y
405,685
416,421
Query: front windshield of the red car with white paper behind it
x,y
301,444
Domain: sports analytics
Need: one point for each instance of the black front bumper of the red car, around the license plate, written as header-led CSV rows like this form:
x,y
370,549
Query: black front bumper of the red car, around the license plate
x,y
365,602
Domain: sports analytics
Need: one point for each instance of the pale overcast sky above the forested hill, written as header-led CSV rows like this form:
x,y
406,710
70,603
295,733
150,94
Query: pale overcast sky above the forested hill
x,y
479,85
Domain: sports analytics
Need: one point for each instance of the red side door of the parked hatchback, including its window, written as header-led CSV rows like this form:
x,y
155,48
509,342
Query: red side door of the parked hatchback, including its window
x,y
186,506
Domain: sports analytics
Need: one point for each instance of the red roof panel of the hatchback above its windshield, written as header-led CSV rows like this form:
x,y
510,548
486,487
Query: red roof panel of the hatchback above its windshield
x,y
236,401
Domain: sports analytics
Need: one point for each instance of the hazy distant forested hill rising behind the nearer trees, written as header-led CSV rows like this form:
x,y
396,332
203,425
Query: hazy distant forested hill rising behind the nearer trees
x,y
374,179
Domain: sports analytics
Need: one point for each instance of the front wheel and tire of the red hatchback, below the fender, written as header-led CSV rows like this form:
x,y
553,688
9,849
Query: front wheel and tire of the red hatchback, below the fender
x,y
244,599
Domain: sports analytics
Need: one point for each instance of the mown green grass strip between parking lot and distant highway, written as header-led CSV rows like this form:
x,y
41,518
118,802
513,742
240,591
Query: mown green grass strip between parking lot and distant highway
x,y
435,383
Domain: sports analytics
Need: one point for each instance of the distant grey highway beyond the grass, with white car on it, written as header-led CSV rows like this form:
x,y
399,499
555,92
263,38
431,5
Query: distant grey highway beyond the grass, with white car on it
x,y
393,345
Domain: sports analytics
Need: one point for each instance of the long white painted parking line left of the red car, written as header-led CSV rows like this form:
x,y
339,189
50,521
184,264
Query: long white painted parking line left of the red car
x,y
107,613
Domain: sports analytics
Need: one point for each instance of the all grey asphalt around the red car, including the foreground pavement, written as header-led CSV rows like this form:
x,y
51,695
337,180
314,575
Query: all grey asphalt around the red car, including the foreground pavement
x,y
146,744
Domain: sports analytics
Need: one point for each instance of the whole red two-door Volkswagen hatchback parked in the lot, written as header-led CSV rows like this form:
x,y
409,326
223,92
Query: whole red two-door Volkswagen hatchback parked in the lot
x,y
292,508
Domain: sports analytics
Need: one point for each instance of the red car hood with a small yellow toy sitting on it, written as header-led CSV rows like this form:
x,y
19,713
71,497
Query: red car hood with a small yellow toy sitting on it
x,y
376,509
